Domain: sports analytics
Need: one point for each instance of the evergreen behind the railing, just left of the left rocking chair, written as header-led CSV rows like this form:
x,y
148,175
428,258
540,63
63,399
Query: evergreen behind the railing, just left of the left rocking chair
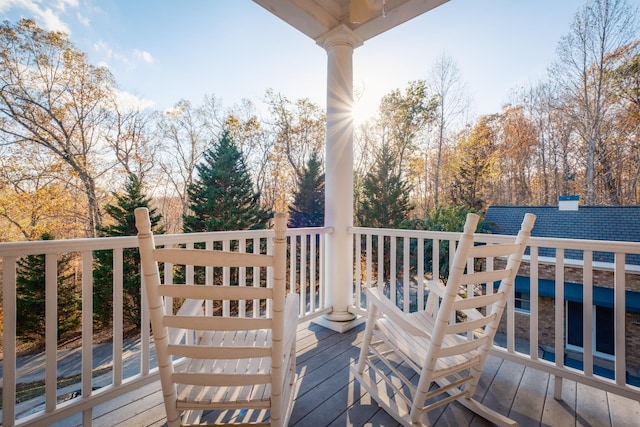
x,y
123,225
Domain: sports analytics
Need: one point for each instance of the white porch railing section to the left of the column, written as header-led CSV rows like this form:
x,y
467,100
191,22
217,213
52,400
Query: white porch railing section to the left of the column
x,y
122,373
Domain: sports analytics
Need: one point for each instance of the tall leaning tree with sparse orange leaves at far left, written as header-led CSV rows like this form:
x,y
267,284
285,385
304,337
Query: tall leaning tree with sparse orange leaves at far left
x,y
51,96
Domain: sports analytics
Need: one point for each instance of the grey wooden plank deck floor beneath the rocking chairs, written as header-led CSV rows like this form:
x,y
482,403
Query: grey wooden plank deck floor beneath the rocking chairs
x,y
328,395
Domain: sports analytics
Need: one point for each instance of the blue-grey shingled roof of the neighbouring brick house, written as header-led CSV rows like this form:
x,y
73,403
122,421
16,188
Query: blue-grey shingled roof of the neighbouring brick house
x,y
617,223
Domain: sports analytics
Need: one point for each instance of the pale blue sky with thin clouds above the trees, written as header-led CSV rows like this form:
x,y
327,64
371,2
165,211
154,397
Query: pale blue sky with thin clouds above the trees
x,y
164,51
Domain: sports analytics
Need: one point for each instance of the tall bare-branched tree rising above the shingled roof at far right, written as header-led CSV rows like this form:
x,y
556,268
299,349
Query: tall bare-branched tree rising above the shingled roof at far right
x,y
599,30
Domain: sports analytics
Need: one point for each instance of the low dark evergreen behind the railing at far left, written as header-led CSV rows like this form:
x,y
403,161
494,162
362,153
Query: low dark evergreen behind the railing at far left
x,y
31,294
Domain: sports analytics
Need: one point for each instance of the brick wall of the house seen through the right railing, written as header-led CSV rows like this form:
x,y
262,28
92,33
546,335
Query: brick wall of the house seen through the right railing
x,y
546,312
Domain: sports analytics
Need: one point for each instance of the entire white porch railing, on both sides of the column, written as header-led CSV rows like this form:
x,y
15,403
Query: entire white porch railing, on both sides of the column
x,y
404,275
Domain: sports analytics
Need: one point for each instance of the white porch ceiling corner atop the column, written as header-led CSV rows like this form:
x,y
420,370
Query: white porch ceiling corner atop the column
x,y
366,18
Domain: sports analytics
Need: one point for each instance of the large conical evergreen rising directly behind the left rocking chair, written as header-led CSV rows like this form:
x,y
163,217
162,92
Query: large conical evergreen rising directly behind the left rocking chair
x,y
223,197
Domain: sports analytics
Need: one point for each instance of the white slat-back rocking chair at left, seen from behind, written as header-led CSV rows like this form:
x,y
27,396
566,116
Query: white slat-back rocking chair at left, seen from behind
x,y
241,367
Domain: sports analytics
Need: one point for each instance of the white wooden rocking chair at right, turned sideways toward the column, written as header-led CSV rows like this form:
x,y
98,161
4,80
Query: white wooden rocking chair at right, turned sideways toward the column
x,y
448,343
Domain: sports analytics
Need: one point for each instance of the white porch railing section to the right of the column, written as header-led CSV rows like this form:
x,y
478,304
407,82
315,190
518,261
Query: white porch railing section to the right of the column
x,y
394,256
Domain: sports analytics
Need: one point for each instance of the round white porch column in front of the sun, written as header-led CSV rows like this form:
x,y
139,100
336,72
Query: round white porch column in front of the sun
x,y
339,44
